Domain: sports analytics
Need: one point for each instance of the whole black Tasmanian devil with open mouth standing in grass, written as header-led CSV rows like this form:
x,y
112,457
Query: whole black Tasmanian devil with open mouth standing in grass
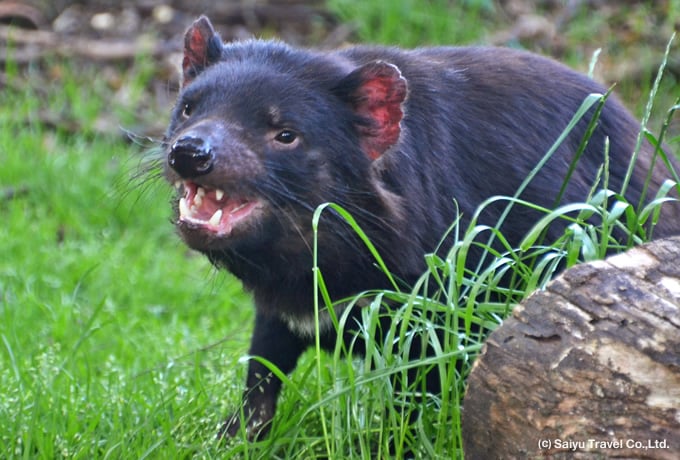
x,y
406,141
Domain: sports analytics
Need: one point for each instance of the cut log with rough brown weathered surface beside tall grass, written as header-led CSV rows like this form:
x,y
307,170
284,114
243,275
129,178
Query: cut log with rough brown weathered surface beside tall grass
x,y
587,368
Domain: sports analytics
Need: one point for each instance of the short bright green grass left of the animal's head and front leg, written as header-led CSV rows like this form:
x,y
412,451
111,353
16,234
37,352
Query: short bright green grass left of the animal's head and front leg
x,y
106,321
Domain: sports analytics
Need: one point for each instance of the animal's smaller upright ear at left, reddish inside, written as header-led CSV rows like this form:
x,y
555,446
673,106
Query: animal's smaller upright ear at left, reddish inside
x,y
202,48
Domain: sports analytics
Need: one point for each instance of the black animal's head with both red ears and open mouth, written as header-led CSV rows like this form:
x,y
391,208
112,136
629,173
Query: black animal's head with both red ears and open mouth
x,y
263,133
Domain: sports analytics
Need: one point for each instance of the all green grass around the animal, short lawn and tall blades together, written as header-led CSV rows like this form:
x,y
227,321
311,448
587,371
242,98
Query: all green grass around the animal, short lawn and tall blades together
x,y
117,342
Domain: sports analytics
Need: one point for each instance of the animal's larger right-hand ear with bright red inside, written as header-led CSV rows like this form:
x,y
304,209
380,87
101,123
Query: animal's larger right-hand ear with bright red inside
x,y
376,91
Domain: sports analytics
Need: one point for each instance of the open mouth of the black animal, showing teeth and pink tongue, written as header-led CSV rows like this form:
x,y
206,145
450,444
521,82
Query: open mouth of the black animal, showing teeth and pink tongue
x,y
211,209
